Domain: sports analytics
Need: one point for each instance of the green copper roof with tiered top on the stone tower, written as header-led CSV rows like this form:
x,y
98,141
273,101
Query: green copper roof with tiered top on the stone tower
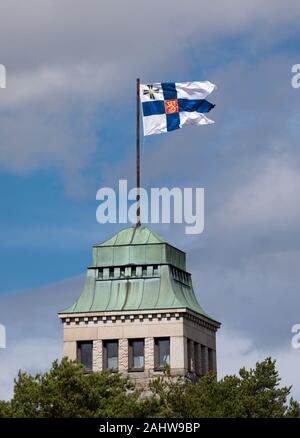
x,y
136,270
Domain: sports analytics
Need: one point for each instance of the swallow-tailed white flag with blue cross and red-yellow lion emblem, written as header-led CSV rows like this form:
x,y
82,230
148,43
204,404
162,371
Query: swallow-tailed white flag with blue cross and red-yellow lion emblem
x,y
171,105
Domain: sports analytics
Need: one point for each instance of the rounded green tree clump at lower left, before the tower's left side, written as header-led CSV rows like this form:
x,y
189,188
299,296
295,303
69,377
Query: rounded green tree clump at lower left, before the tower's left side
x,y
65,391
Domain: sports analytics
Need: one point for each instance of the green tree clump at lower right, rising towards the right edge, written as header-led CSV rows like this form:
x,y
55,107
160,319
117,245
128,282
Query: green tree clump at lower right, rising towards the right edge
x,y
252,394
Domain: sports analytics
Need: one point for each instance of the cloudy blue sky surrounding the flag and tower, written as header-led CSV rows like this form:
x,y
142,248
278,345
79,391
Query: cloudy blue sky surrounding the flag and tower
x,y
67,125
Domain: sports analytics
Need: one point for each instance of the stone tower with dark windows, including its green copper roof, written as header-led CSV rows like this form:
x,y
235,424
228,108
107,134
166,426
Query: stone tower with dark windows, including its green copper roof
x,y
138,312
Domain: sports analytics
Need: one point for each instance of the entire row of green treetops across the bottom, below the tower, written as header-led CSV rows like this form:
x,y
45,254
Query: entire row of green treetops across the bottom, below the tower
x,y
66,391
